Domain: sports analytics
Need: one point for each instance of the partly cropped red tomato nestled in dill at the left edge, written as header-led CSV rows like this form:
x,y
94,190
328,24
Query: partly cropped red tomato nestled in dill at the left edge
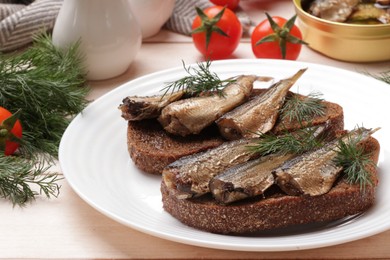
x,y
10,128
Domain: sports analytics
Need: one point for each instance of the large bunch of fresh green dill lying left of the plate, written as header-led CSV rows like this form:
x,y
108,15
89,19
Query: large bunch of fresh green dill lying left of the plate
x,y
48,86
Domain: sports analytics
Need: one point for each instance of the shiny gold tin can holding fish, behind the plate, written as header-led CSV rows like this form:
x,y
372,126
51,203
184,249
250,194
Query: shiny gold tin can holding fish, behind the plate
x,y
342,41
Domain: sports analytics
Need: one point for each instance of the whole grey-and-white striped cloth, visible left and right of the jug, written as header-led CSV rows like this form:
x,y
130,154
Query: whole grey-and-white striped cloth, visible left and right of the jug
x,y
21,20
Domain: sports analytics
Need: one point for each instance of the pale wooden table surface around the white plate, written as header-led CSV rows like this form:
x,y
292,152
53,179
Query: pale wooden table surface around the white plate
x,y
67,227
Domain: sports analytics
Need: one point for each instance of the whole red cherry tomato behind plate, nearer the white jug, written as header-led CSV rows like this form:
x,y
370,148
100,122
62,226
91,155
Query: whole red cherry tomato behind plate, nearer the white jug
x,y
216,32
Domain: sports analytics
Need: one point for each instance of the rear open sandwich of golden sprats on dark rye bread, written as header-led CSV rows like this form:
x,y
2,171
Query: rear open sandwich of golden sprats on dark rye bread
x,y
153,143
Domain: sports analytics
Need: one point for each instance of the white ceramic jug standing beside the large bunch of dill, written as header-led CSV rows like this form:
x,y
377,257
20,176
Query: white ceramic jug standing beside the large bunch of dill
x,y
109,33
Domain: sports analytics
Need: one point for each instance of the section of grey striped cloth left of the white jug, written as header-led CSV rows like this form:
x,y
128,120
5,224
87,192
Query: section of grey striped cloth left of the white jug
x,y
21,20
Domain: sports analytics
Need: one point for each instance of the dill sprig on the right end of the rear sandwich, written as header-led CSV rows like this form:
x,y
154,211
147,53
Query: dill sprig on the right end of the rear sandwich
x,y
300,109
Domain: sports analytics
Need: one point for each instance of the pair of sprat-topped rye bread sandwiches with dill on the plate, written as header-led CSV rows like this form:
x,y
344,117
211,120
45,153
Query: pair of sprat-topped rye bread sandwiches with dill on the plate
x,y
236,159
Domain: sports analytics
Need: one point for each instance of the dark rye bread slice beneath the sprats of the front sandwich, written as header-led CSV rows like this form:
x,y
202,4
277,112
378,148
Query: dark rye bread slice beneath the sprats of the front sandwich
x,y
275,209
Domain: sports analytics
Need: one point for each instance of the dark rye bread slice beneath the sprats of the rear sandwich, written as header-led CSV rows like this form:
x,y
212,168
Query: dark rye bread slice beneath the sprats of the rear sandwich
x,y
151,148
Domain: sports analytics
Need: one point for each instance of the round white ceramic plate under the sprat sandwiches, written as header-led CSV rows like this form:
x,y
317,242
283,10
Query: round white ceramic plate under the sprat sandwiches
x,y
94,159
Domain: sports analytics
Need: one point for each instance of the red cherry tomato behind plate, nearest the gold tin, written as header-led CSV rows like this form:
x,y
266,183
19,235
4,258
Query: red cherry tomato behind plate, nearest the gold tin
x,y
277,38
